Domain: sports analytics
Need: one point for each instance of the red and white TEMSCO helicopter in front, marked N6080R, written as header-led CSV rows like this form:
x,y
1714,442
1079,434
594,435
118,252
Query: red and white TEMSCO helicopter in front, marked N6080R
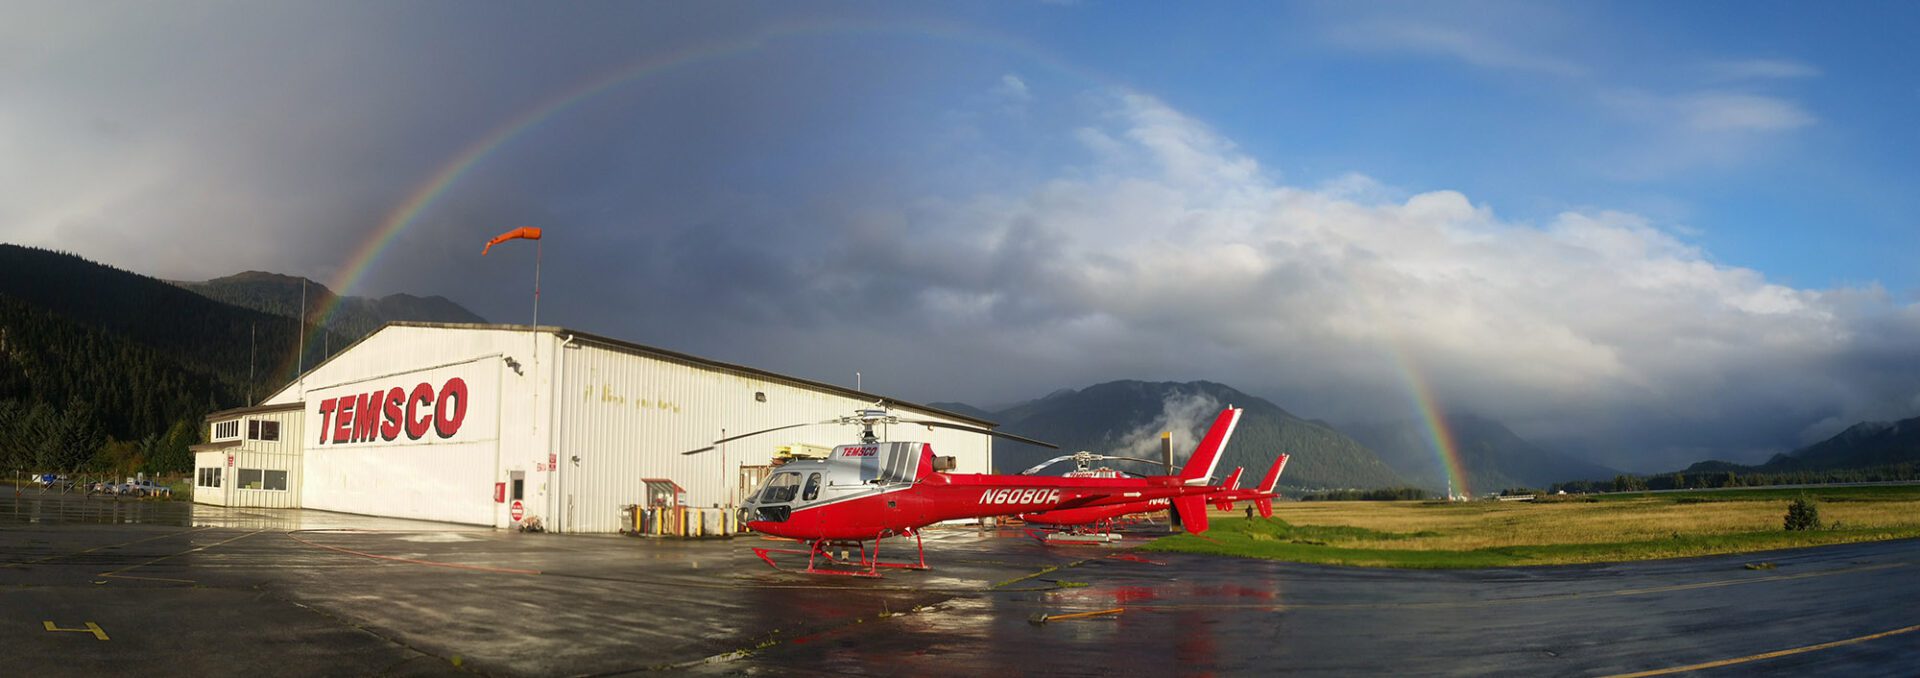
x,y
871,491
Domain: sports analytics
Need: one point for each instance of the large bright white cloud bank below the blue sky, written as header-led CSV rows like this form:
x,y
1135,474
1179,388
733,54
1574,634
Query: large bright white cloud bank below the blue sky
x,y
1176,254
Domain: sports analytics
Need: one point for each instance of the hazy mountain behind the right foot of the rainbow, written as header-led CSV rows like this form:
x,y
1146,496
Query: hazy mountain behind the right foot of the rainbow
x,y
1493,456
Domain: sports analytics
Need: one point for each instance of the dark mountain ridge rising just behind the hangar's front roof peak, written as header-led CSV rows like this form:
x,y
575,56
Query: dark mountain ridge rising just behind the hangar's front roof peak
x,y
281,295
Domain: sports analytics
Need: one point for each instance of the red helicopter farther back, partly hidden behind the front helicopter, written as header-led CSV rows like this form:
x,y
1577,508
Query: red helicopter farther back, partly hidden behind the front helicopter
x,y
1095,525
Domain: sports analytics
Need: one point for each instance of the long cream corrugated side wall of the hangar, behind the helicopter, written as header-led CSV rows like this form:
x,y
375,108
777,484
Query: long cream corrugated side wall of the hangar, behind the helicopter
x,y
629,416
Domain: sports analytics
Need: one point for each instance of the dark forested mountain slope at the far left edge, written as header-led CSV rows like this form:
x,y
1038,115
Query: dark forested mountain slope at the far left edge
x,y
112,372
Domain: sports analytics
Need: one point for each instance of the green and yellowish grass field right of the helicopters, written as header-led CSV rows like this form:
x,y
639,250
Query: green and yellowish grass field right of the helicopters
x,y
1604,529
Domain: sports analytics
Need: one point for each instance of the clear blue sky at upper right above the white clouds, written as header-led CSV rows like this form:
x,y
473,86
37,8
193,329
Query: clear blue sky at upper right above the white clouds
x,y
1531,110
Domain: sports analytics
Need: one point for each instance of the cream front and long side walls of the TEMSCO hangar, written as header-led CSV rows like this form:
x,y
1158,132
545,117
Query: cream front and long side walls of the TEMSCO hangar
x,y
625,412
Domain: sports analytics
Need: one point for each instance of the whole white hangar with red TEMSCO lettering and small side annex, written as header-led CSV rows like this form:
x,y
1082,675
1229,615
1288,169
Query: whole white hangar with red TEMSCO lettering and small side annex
x,y
508,424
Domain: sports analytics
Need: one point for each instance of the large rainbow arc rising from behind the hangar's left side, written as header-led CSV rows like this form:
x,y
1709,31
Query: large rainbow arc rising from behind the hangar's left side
x,y
454,170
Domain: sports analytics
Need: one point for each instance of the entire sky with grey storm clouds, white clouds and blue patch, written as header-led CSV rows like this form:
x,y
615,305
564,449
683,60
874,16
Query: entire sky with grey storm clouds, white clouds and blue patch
x,y
1646,233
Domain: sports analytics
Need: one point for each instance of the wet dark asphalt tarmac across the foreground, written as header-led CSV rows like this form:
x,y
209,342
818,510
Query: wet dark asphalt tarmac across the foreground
x,y
178,589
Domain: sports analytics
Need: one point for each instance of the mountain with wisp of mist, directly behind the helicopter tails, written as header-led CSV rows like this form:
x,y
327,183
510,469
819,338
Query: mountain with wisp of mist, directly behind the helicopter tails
x,y
1128,418
